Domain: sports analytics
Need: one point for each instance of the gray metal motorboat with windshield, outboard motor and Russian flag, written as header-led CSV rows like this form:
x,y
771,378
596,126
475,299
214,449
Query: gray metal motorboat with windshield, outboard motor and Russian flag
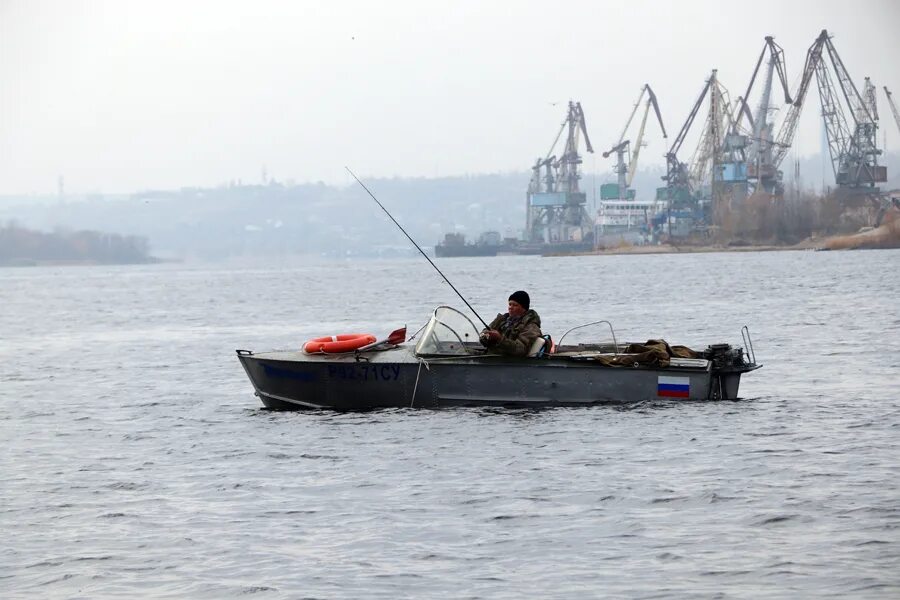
x,y
447,366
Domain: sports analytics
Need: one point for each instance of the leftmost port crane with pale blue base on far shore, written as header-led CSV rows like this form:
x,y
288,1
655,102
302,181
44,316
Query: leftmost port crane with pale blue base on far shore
x,y
555,203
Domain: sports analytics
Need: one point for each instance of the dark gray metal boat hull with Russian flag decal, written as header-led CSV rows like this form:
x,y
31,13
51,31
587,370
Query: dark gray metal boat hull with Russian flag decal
x,y
397,378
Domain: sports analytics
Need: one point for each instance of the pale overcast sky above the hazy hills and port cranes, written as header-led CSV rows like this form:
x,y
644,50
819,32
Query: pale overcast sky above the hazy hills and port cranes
x,y
118,96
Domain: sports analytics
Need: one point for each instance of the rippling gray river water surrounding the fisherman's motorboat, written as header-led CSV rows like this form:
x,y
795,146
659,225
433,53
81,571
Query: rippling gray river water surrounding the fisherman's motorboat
x,y
137,462
